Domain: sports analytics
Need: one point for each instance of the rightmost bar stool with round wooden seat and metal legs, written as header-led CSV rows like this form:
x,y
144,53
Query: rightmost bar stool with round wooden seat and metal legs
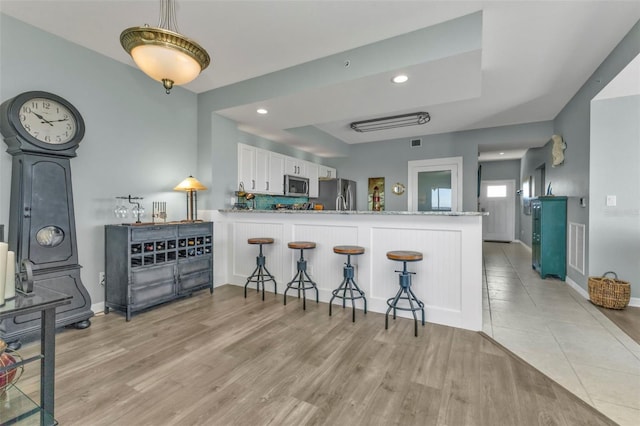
x,y
405,288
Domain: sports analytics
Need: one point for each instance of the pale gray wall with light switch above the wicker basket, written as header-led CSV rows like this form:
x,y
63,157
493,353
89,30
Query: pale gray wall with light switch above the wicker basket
x,y
614,232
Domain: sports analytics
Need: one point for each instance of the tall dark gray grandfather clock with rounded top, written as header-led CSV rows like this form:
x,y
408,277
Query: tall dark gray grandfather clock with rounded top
x,y
42,132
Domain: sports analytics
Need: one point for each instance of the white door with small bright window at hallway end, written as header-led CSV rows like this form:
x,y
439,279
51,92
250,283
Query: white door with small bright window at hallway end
x,y
498,198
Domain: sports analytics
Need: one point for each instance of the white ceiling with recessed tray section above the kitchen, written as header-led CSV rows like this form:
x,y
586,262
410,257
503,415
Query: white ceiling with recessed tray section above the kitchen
x,y
534,57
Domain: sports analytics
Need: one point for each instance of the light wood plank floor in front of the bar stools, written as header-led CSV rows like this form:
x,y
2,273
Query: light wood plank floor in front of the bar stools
x,y
226,360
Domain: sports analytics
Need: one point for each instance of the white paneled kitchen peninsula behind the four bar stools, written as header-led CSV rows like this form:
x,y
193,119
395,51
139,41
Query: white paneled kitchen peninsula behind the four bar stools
x,y
448,280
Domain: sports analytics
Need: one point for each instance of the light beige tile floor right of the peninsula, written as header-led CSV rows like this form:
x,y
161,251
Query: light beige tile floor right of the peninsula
x,y
558,331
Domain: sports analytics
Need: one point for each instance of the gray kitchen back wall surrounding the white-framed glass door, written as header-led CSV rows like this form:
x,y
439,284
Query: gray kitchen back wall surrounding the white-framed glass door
x,y
389,159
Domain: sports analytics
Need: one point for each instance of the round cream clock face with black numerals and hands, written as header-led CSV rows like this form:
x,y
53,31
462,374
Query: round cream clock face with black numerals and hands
x,y
48,120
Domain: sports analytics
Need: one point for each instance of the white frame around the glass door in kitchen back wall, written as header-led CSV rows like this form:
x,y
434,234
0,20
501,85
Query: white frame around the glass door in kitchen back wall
x,y
452,164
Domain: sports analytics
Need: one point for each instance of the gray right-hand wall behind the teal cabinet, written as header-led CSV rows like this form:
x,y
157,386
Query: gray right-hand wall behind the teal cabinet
x,y
574,125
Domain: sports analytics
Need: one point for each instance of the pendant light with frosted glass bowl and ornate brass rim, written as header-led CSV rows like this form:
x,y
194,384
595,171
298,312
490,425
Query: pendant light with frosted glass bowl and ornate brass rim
x,y
162,52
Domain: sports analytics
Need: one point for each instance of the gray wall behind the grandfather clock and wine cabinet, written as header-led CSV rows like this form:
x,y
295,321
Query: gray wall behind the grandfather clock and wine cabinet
x,y
138,140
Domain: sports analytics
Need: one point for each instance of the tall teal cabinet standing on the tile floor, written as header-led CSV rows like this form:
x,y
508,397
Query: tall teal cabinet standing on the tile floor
x,y
549,237
